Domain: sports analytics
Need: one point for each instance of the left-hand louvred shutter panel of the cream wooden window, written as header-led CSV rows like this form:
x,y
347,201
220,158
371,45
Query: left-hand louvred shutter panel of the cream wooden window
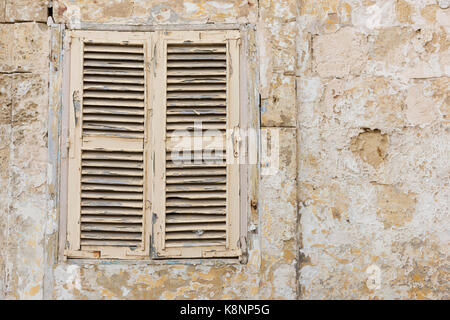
x,y
107,165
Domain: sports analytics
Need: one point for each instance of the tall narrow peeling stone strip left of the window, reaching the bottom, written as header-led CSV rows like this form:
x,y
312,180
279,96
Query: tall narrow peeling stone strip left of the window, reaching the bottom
x,y
27,186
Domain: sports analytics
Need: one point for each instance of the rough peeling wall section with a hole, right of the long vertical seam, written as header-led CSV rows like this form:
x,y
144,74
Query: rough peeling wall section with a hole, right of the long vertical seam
x,y
373,103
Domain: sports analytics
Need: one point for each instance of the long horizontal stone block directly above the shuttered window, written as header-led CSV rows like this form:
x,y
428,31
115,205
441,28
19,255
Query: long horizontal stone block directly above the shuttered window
x,y
153,11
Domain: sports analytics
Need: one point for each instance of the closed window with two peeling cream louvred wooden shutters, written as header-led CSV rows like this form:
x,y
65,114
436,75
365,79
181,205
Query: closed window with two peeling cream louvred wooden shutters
x,y
153,145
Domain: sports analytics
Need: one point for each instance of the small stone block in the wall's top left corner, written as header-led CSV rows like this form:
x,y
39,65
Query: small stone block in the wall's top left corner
x,y
26,10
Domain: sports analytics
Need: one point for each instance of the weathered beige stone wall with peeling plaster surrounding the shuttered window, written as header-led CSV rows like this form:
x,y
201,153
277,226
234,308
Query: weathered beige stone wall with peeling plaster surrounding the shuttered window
x,y
359,93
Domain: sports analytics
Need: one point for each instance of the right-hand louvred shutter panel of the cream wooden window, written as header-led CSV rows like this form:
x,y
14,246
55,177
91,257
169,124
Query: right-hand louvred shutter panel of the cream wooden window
x,y
197,212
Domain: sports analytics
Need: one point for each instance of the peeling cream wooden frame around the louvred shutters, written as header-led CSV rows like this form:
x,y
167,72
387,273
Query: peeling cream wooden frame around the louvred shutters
x,y
244,173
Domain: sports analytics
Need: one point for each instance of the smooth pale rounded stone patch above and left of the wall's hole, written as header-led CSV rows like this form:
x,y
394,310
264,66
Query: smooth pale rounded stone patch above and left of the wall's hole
x,y
340,54
